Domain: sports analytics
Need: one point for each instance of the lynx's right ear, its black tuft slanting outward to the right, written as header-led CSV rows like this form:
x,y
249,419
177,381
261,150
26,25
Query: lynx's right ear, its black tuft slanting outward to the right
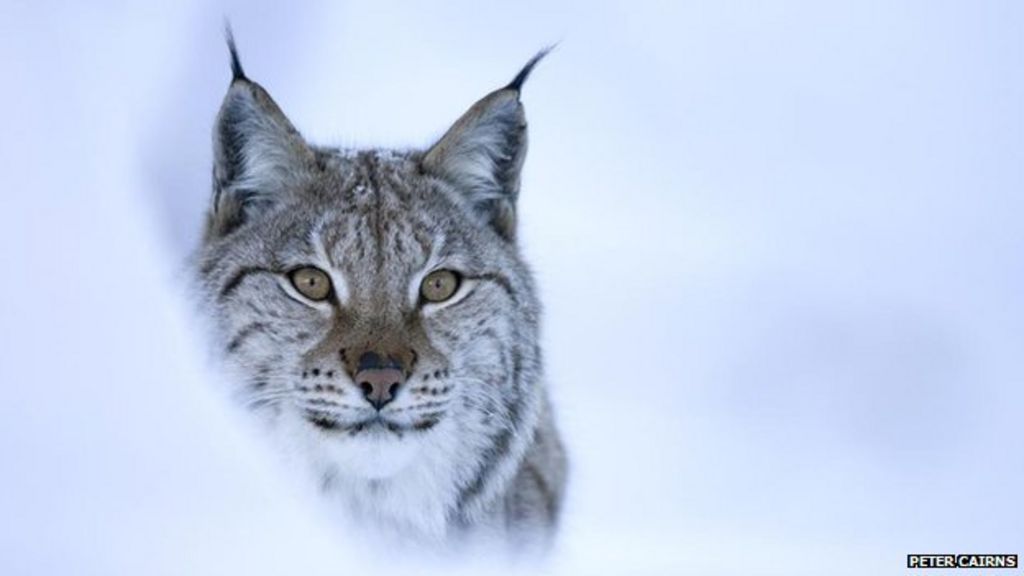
x,y
482,154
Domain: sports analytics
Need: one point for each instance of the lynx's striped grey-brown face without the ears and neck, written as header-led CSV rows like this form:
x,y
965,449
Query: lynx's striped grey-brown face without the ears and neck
x,y
331,307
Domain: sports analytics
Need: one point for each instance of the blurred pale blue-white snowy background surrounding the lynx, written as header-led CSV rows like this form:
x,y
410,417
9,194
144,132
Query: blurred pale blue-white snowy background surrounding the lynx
x,y
781,250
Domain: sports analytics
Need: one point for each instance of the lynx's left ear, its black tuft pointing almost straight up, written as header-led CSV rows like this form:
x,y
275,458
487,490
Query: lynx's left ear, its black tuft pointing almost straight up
x,y
259,155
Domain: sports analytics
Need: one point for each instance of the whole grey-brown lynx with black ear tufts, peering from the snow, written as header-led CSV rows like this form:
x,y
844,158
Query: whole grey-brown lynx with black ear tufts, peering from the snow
x,y
374,313
